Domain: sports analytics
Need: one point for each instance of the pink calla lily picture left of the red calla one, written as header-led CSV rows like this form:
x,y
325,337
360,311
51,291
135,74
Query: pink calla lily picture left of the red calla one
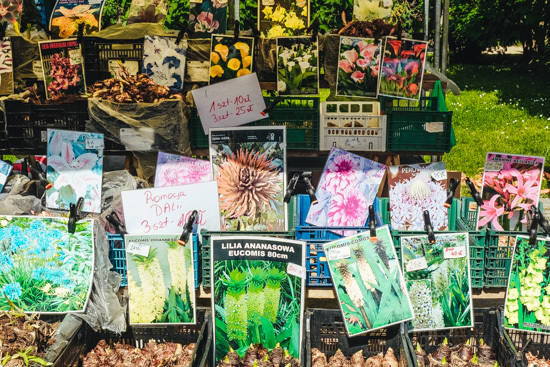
x,y
358,65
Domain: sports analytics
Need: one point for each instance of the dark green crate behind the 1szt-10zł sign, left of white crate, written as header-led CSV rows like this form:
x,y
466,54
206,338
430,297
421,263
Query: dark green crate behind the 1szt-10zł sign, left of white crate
x,y
300,115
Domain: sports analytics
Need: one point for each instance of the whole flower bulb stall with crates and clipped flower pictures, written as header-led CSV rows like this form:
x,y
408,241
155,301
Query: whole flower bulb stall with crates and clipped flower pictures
x,y
235,184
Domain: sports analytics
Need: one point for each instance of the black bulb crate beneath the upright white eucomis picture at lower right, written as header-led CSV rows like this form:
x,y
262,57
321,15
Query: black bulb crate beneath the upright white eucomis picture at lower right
x,y
486,327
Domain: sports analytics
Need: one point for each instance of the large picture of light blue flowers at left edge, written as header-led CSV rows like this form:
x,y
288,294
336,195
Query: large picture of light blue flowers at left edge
x,y
43,267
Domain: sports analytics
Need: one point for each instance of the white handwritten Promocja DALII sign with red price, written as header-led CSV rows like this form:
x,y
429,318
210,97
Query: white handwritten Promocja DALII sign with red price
x,y
165,210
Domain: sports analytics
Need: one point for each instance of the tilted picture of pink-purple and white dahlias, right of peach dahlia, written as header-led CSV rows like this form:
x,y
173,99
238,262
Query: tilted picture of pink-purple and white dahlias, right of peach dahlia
x,y
348,186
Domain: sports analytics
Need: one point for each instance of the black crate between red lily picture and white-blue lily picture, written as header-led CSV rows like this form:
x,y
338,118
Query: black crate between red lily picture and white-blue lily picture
x,y
98,51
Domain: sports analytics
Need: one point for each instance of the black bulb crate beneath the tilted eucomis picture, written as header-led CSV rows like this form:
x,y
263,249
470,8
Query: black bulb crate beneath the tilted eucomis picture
x,y
325,331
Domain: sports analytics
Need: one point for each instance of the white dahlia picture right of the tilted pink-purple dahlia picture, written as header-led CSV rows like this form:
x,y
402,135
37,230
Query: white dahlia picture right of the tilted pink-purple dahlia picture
x,y
413,190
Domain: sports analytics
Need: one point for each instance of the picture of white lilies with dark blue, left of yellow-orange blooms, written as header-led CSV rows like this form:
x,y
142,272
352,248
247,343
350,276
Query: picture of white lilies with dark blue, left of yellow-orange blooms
x,y
164,61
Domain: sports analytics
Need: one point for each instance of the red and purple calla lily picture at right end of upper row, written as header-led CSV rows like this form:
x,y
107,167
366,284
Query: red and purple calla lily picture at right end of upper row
x,y
402,68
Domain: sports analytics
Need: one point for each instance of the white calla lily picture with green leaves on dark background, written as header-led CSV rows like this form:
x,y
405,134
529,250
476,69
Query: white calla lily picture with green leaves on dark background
x,y
297,66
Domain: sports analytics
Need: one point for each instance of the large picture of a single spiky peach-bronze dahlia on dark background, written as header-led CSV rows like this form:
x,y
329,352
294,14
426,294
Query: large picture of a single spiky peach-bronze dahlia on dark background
x,y
249,166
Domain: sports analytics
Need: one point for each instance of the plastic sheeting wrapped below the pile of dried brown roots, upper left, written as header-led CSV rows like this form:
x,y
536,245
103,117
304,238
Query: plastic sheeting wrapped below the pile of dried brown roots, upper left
x,y
142,126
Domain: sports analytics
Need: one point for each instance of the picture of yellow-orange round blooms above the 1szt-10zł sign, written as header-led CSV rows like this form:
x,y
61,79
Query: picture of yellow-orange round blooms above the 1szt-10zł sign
x,y
230,58
